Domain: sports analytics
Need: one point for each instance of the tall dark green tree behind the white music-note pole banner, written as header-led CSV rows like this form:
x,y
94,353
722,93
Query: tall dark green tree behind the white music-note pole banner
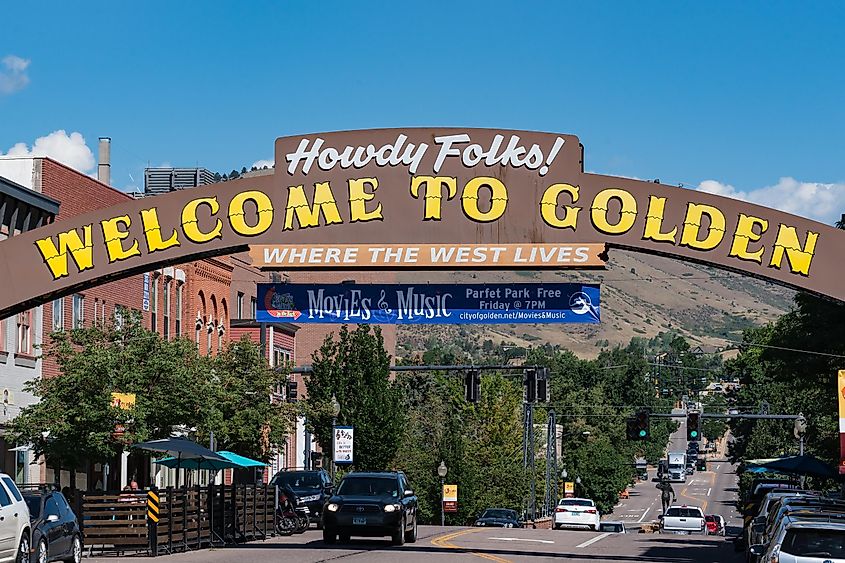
x,y
355,368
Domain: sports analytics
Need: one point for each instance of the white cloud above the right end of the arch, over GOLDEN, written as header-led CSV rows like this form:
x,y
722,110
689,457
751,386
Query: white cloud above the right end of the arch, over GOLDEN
x,y
815,200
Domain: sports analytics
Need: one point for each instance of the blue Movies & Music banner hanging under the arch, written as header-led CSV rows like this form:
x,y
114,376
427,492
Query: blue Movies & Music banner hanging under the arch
x,y
429,303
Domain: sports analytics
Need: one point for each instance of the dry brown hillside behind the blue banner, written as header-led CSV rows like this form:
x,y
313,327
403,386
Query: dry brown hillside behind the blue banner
x,y
642,295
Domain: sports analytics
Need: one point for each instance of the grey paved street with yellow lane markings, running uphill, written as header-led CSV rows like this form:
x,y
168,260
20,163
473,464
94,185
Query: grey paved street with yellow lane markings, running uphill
x,y
713,489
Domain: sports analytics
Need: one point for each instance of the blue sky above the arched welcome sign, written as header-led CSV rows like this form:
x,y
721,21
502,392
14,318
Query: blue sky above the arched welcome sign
x,y
740,95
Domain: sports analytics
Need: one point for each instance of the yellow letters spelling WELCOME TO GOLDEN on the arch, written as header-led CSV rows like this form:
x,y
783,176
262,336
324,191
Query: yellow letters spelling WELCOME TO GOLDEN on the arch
x,y
483,199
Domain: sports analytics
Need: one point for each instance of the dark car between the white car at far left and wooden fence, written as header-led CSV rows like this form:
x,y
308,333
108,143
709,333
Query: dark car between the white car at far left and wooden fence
x,y
56,535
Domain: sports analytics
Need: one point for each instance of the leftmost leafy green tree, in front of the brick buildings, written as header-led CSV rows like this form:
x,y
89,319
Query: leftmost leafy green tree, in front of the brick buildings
x,y
74,421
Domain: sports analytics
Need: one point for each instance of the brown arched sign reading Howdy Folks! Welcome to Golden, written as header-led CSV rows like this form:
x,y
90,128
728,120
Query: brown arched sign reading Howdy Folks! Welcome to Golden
x,y
497,190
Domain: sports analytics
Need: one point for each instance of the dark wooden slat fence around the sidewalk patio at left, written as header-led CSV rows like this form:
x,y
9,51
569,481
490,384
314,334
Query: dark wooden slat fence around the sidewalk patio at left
x,y
189,518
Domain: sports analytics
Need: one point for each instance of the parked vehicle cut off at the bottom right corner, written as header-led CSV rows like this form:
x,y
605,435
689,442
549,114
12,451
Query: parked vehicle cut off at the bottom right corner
x,y
804,541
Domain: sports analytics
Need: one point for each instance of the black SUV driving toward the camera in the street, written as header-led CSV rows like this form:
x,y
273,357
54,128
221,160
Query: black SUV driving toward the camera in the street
x,y
372,504
